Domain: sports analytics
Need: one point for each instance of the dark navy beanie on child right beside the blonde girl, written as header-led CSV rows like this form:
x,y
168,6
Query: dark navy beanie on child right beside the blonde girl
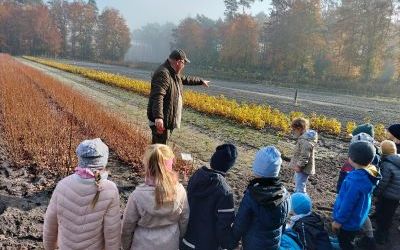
x,y
224,157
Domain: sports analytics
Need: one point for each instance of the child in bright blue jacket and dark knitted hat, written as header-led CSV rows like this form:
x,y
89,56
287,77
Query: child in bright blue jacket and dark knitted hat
x,y
353,202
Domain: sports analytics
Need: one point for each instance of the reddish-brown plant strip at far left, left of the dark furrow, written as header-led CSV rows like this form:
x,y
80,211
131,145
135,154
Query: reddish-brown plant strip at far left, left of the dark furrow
x,y
33,131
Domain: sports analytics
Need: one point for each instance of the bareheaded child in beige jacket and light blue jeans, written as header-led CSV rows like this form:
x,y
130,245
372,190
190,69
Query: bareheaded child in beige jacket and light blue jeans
x,y
303,160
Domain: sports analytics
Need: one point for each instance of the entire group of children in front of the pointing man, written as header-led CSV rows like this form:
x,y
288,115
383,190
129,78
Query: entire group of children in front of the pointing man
x,y
84,211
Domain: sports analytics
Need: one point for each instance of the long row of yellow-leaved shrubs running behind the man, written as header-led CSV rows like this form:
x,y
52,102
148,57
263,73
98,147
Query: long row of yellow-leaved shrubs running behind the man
x,y
256,116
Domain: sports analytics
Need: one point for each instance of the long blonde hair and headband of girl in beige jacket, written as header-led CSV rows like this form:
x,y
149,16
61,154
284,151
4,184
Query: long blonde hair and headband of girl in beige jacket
x,y
164,180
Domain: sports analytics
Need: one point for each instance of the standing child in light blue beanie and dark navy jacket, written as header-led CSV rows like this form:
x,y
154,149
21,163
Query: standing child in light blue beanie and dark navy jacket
x,y
265,205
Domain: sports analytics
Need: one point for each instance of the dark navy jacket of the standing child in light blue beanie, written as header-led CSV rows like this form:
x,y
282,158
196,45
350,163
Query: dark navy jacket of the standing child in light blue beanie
x,y
262,214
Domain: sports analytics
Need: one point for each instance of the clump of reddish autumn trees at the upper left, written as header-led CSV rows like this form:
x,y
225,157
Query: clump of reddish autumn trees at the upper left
x,y
61,28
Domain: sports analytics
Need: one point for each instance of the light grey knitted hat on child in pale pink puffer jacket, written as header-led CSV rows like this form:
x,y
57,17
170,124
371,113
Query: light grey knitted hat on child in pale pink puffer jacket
x,y
92,153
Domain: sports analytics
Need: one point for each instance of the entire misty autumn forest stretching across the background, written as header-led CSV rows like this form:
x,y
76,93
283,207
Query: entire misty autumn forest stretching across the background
x,y
348,44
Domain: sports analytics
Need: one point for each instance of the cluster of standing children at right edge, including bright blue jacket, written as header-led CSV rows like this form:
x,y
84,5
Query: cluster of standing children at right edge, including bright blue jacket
x,y
372,170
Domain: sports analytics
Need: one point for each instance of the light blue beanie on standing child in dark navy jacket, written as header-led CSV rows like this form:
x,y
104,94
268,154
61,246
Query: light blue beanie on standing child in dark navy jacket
x,y
267,162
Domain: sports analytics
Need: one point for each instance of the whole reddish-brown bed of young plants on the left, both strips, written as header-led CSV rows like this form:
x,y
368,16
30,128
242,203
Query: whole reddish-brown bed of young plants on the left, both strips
x,y
43,121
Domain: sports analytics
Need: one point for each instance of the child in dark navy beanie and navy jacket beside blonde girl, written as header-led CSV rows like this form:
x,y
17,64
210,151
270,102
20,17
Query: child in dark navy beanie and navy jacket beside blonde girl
x,y
211,204
